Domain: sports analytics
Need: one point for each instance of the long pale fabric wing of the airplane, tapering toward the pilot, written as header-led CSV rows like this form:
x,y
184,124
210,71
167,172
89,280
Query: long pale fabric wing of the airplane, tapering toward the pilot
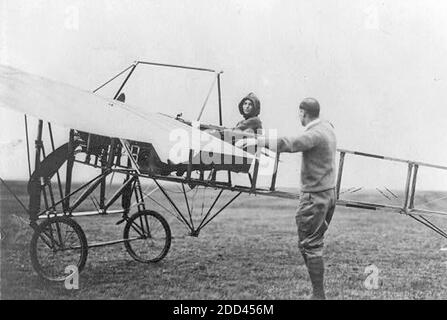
x,y
82,110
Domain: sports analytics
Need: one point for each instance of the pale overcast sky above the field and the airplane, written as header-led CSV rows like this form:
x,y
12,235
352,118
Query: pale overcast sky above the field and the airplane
x,y
378,68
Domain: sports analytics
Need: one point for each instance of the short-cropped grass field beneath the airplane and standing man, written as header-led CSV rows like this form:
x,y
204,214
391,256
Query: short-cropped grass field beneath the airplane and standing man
x,y
247,252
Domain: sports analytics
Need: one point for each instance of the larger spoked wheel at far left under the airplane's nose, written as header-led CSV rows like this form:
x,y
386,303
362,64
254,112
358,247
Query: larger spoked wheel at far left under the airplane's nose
x,y
57,243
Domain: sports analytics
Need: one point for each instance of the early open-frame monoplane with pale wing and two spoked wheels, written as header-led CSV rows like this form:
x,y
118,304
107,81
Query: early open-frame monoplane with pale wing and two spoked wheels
x,y
117,138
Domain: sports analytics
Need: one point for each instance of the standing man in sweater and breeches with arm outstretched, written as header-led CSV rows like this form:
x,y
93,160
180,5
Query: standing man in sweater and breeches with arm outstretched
x,y
317,198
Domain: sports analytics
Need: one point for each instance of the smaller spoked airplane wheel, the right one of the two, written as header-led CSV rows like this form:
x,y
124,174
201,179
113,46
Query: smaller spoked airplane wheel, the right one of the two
x,y
148,235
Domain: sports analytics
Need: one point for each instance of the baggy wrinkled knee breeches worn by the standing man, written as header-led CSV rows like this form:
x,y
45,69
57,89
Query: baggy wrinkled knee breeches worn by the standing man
x,y
313,216
